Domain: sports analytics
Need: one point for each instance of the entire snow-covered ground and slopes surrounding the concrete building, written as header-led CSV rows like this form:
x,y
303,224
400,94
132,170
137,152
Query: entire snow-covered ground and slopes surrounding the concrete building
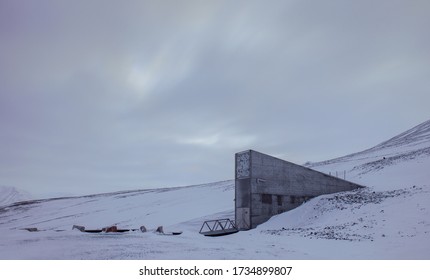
x,y
390,219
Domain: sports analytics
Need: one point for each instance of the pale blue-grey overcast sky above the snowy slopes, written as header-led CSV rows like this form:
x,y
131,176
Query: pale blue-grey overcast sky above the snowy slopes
x,y
100,96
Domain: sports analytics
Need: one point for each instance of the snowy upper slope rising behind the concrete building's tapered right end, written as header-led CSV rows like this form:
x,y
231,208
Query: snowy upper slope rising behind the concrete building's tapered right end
x,y
404,159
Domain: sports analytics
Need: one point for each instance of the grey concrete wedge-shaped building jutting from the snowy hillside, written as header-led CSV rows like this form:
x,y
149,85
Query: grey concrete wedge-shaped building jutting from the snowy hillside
x,y
266,186
